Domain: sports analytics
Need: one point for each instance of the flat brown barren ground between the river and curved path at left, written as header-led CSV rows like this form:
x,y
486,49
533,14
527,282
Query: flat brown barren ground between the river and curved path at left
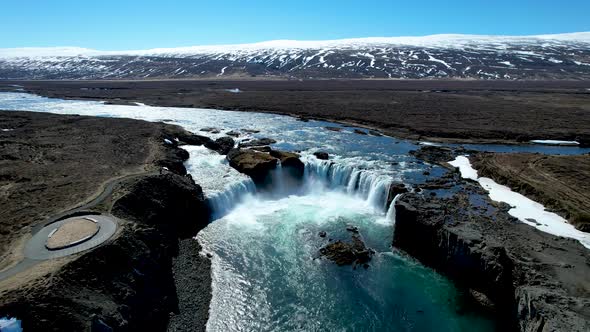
x,y
51,163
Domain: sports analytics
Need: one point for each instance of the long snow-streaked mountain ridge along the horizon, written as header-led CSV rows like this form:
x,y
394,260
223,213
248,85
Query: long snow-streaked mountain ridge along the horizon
x,y
562,56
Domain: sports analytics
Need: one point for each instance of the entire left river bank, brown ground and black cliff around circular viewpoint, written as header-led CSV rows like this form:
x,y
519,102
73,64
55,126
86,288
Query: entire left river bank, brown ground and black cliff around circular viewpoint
x,y
137,279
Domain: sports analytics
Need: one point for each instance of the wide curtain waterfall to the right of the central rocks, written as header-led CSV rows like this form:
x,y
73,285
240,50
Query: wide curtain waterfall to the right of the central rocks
x,y
366,184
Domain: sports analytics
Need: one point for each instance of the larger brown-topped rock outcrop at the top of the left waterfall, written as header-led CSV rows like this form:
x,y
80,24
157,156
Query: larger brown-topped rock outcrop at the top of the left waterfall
x,y
255,164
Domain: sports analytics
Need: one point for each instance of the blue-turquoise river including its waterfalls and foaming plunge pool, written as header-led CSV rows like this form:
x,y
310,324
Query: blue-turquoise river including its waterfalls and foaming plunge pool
x,y
266,272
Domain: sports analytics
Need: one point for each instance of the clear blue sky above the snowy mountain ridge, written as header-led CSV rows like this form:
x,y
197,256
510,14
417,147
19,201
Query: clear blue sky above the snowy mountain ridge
x,y
120,24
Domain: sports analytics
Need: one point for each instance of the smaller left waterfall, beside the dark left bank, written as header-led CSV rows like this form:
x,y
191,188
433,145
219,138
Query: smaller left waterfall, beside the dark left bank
x,y
222,202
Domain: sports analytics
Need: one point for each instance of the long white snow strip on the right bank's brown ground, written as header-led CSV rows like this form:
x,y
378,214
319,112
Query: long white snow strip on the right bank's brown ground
x,y
523,208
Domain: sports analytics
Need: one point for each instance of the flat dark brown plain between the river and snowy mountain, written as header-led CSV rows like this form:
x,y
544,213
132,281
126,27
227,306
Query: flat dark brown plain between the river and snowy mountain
x,y
461,111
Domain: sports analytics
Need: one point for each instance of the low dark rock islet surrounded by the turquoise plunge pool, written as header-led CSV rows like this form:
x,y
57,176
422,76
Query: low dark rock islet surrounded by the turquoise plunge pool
x,y
346,253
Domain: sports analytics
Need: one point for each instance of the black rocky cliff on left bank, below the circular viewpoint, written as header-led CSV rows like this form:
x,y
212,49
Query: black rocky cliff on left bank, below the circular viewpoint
x,y
127,283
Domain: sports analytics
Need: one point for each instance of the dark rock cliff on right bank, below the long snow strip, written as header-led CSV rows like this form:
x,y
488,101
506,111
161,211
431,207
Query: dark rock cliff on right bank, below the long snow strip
x,y
533,279
